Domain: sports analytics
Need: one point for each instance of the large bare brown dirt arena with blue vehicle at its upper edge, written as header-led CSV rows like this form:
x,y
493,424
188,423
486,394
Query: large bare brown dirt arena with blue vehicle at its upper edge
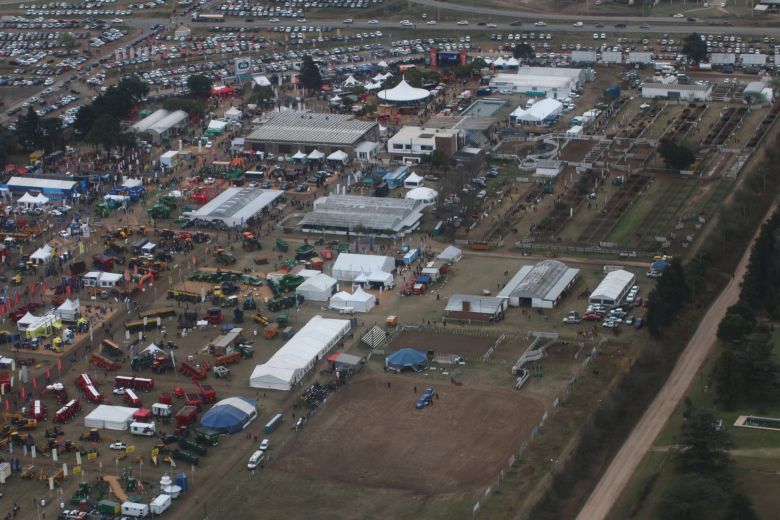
x,y
372,435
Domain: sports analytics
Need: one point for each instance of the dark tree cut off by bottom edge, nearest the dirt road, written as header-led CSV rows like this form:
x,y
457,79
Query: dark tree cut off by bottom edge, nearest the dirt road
x,y
690,495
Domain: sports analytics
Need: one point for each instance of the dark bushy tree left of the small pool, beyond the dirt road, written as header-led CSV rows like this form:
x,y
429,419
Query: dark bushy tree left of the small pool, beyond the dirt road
x,y
704,447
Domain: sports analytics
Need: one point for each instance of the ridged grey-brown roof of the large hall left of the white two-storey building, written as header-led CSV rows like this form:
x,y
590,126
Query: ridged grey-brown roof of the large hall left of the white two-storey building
x,y
311,127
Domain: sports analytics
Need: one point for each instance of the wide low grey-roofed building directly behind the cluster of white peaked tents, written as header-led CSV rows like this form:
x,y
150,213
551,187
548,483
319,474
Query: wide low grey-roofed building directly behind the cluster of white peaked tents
x,y
341,213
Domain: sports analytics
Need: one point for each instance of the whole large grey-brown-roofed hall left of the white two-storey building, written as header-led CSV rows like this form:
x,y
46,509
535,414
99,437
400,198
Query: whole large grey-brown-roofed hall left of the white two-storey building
x,y
290,131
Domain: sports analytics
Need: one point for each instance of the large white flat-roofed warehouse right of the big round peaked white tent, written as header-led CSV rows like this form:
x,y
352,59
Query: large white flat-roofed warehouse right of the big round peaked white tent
x,y
556,83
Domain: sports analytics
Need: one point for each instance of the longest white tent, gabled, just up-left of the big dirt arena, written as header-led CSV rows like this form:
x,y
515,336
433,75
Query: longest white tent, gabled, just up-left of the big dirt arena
x,y
291,362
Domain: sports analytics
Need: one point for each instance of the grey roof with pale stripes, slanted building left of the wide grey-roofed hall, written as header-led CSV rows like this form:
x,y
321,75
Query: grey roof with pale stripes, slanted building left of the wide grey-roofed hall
x,y
235,206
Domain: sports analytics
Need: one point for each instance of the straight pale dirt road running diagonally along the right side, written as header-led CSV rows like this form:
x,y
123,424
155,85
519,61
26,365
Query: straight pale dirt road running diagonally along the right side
x,y
625,463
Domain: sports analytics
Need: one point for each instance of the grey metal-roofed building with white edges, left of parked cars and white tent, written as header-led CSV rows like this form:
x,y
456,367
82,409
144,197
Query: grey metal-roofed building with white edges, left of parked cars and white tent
x,y
540,286
